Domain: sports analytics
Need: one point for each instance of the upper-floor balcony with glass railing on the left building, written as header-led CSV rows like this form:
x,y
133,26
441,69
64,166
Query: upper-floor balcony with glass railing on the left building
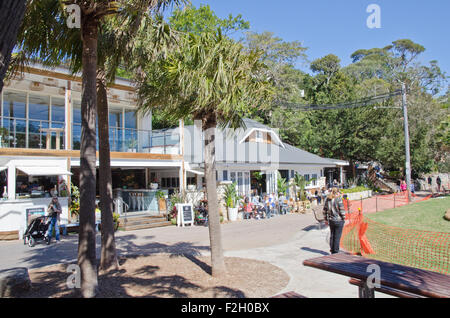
x,y
39,134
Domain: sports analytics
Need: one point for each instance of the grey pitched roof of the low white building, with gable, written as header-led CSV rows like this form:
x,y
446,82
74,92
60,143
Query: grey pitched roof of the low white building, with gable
x,y
231,148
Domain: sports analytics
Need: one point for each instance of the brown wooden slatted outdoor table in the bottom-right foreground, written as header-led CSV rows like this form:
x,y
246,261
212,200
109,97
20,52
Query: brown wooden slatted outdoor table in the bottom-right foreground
x,y
402,278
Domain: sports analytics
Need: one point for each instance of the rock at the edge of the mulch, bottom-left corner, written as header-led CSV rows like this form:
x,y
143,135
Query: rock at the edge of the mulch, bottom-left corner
x,y
14,282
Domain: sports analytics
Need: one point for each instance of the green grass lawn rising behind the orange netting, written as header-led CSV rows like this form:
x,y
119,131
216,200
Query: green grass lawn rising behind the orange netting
x,y
425,216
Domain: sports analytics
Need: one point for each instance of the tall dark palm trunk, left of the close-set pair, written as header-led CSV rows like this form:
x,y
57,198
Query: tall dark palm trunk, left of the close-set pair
x,y
86,242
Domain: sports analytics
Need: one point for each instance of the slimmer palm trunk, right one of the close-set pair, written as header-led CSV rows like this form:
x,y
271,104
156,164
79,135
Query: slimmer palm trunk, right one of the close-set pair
x,y
108,259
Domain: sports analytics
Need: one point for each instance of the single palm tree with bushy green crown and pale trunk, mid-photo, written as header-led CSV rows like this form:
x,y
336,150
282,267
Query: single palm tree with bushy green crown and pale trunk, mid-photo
x,y
213,79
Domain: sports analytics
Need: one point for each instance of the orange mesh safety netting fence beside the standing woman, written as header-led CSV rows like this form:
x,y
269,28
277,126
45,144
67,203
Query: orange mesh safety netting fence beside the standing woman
x,y
420,249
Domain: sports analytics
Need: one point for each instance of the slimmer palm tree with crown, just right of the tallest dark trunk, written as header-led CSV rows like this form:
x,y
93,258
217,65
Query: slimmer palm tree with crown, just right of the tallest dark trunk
x,y
117,42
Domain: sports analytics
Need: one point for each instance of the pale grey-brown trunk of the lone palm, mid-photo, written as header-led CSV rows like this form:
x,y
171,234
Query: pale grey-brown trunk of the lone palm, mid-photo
x,y
215,235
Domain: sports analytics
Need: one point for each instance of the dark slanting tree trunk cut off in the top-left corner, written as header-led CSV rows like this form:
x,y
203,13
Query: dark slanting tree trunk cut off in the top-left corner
x,y
11,15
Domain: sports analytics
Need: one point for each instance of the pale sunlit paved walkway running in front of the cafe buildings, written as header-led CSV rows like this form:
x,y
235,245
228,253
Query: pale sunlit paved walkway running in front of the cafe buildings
x,y
284,241
